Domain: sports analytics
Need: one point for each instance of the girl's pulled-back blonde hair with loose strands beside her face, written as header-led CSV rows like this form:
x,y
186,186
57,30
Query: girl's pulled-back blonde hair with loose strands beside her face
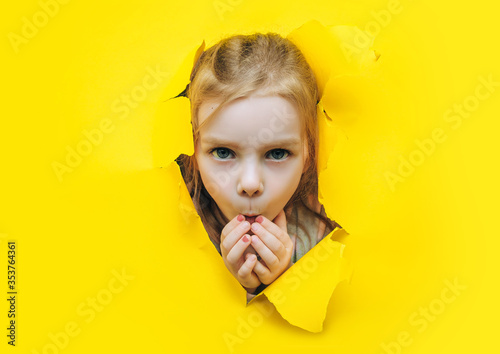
x,y
236,67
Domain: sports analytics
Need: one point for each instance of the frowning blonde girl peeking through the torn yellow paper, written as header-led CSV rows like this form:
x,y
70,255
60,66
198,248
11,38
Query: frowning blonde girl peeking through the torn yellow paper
x,y
253,176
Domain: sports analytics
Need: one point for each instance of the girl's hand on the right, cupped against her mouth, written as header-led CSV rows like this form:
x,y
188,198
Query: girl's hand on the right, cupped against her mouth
x,y
272,243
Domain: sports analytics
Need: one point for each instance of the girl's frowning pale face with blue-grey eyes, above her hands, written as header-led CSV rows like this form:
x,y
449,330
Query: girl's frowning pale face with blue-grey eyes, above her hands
x,y
251,155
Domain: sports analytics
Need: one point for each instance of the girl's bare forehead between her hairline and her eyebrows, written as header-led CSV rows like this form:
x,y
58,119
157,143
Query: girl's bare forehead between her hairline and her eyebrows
x,y
266,117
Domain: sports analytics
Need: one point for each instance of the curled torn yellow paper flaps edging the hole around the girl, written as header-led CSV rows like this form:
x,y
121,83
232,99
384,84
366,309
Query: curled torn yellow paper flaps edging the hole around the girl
x,y
301,294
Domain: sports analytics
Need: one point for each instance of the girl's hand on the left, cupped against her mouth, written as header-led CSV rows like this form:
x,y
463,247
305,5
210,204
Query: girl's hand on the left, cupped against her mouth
x,y
234,241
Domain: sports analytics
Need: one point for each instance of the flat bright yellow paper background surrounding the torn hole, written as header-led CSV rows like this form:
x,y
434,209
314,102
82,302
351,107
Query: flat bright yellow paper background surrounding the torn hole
x,y
116,212
